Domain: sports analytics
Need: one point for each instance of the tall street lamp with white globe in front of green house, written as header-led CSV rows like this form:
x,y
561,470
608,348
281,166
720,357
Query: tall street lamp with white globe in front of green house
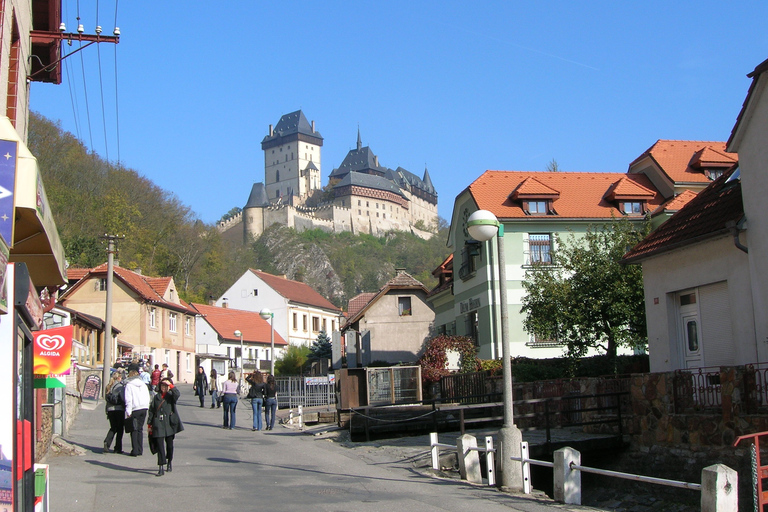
x,y
482,226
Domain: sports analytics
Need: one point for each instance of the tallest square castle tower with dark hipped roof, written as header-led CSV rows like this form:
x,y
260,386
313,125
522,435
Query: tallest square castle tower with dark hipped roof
x,y
292,169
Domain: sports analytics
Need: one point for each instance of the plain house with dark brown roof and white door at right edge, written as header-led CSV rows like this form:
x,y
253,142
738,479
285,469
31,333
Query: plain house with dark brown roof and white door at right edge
x,y
705,273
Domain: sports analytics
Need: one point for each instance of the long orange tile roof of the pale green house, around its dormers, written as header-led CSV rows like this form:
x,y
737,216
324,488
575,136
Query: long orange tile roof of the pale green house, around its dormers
x,y
582,194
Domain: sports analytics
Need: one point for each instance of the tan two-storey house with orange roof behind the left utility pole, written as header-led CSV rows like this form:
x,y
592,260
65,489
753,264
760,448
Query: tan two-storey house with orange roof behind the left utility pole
x,y
148,312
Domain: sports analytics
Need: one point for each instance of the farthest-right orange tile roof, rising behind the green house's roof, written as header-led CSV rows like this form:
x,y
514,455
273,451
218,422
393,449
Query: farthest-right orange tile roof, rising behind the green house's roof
x,y
681,160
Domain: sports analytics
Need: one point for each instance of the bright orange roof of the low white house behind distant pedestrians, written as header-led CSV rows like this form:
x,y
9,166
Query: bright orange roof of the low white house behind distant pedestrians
x,y
225,321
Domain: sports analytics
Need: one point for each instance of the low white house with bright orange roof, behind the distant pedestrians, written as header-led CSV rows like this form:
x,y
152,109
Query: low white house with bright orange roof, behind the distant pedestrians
x,y
218,347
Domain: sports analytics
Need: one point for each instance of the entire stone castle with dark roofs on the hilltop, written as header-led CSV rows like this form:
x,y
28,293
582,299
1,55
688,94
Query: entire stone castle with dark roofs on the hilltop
x,y
362,196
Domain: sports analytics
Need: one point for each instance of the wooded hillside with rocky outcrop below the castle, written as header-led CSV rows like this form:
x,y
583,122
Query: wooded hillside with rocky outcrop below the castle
x,y
91,197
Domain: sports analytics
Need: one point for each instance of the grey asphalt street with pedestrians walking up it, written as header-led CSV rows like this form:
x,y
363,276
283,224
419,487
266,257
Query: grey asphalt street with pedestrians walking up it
x,y
234,470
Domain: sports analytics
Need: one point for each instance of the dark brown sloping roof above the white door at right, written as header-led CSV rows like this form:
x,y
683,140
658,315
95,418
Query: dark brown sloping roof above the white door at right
x,y
704,217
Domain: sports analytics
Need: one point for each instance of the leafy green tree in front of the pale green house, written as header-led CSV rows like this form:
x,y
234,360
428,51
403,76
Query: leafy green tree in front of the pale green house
x,y
587,298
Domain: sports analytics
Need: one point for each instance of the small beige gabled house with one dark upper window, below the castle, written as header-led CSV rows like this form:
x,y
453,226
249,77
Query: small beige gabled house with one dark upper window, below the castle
x,y
391,325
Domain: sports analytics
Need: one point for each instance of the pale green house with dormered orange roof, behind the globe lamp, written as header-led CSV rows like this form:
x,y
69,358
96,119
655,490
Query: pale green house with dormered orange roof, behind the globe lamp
x,y
534,207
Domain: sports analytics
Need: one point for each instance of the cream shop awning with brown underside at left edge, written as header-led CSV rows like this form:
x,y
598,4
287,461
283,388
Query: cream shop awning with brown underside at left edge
x,y
36,240
